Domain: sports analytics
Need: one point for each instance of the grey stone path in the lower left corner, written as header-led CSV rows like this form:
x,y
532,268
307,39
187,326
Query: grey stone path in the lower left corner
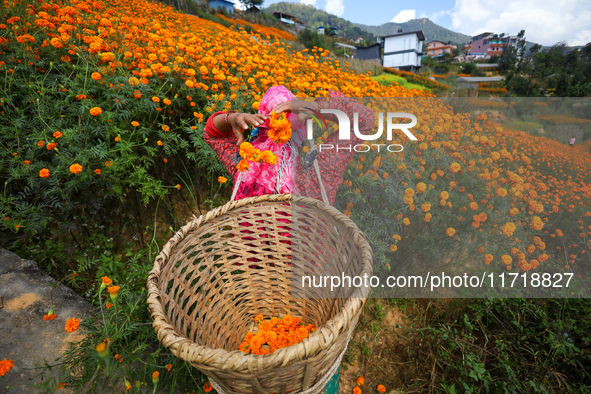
x,y
25,338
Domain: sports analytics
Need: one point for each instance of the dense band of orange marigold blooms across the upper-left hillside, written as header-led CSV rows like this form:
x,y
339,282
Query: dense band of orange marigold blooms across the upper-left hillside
x,y
151,41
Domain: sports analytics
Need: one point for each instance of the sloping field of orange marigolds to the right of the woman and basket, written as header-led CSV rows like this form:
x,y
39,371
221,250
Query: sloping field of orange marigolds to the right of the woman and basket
x,y
521,201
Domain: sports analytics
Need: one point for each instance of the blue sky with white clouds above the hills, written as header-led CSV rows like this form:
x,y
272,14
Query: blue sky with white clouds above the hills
x,y
545,21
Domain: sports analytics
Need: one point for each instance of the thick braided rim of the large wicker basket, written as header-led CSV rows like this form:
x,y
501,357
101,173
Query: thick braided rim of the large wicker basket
x,y
220,359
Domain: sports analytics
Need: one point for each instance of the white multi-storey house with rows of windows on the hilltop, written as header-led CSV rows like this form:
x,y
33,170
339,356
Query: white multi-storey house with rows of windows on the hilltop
x,y
403,50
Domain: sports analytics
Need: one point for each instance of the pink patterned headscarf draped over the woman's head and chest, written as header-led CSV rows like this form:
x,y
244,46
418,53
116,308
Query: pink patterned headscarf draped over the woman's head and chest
x,y
262,178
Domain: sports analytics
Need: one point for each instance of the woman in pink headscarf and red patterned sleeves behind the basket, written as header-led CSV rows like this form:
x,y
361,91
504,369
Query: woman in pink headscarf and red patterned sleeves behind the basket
x,y
223,132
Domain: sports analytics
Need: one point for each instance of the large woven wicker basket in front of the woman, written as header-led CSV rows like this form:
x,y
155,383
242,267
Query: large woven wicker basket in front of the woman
x,y
224,268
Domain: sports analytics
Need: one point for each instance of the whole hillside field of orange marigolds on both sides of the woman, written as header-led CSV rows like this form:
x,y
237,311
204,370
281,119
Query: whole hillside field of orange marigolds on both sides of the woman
x,y
103,105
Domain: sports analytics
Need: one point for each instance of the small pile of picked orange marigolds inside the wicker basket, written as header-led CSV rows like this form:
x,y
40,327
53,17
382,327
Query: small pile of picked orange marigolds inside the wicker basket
x,y
275,334
